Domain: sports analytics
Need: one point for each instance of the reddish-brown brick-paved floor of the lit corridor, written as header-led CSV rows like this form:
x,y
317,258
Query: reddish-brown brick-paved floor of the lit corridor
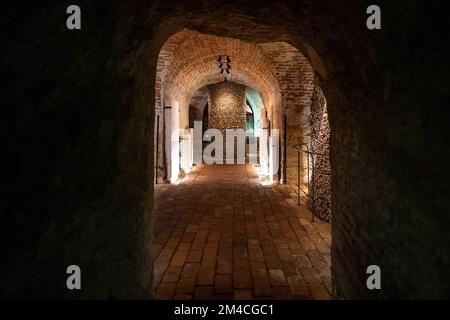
x,y
220,234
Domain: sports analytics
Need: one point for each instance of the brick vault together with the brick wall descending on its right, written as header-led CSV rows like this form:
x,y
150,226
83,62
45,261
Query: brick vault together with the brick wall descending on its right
x,y
279,71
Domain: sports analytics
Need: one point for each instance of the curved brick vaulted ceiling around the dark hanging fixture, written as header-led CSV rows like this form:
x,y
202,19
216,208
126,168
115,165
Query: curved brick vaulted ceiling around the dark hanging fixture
x,y
188,61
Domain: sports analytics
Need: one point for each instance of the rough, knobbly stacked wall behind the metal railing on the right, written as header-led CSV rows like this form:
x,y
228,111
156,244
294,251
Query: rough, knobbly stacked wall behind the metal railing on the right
x,y
319,191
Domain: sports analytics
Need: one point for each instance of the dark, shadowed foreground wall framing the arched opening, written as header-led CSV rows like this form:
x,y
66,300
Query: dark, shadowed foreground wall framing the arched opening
x,y
80,184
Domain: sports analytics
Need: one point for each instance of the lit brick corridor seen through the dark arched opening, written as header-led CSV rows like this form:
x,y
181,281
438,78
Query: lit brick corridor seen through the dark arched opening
x,y
237,229
